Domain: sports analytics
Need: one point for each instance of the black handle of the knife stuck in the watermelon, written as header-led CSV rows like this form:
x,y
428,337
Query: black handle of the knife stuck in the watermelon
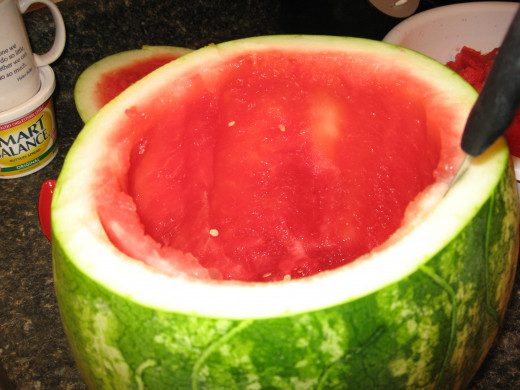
x,y
499,99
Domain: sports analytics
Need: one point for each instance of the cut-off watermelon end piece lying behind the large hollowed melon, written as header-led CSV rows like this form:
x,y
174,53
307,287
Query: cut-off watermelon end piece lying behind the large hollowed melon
x,y
108,77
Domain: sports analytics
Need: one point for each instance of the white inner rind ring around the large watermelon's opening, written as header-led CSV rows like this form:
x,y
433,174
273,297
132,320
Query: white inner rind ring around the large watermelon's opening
x,y
78,231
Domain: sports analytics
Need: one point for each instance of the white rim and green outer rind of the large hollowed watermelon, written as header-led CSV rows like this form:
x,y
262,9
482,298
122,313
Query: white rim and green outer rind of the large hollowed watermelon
x,y
421,313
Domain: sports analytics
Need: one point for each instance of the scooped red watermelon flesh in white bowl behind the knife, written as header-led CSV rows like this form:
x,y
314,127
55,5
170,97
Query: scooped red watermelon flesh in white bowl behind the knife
x,y
474,67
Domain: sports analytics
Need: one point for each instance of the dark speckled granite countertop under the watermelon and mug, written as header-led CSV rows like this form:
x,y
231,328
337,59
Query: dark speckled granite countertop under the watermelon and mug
x,y
34,353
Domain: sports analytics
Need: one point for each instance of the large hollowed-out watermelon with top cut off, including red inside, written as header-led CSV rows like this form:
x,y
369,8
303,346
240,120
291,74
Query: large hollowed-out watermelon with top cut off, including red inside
x,y
417,308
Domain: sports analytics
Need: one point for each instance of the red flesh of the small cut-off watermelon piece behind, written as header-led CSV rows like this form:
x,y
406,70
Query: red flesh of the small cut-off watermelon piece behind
x,y
117,80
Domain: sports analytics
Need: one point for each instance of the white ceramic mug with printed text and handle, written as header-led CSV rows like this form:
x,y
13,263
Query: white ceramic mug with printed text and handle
x,y
19,76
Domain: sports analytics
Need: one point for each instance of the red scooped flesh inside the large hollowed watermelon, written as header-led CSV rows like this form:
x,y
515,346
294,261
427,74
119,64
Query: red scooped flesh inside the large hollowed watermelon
x,y
281,169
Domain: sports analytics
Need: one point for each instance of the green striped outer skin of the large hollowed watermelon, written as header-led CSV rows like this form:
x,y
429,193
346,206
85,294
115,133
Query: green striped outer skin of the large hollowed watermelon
x,y
429,330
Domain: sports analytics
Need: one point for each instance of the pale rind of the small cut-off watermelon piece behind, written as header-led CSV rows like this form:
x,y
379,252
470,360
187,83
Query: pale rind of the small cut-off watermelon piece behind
x,y
86,85
